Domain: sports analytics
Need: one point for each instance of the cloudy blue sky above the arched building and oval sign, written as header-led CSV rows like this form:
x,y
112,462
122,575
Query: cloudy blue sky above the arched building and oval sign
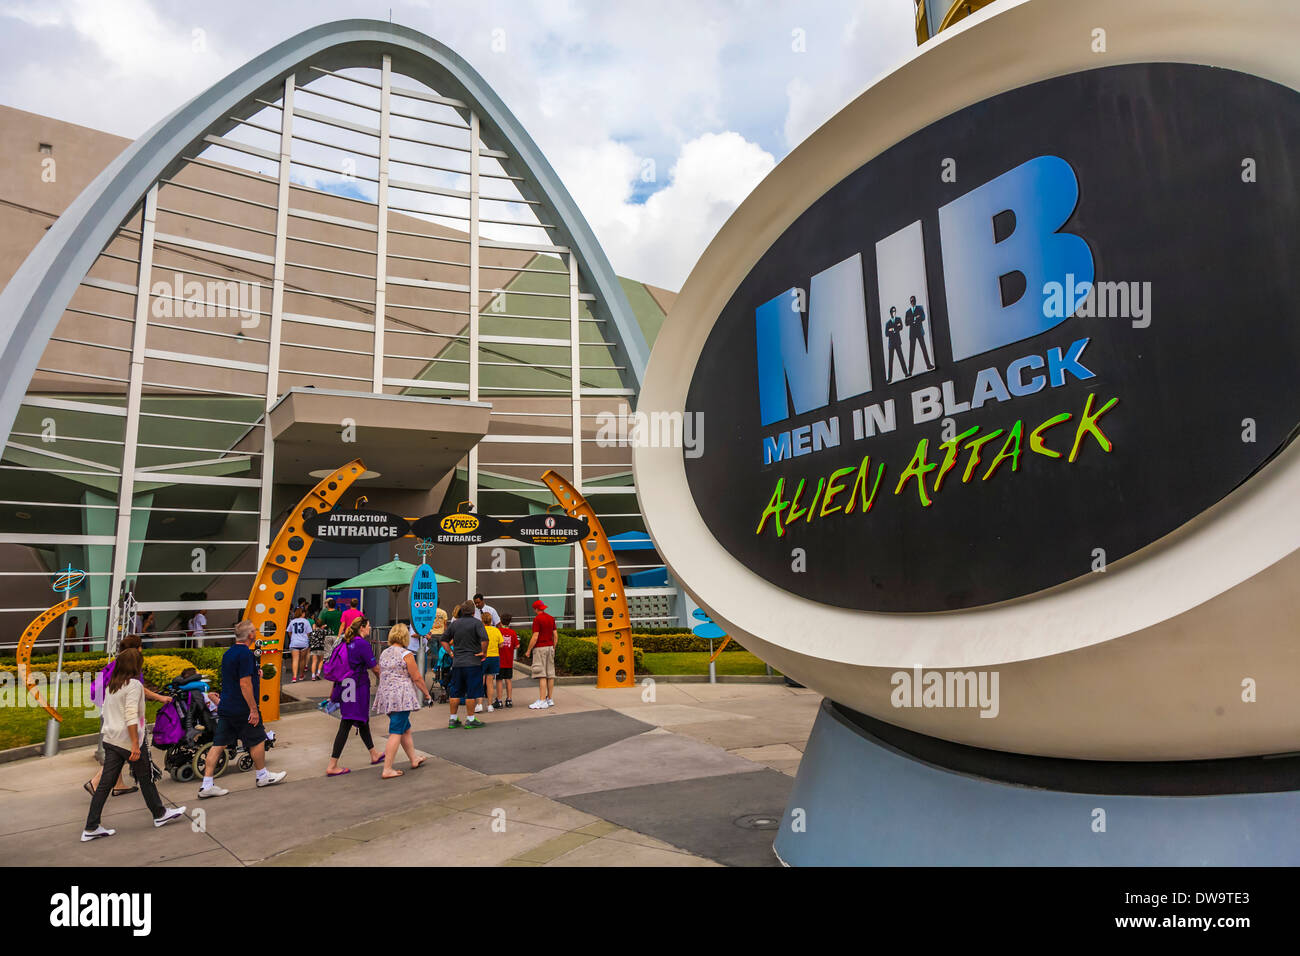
x,y
660,116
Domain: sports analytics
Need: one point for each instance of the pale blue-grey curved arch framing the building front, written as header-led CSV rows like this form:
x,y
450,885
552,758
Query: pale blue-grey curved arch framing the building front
x,y
37,296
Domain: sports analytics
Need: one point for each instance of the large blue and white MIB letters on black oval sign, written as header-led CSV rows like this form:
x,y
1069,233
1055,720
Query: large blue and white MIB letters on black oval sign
x,y
999,243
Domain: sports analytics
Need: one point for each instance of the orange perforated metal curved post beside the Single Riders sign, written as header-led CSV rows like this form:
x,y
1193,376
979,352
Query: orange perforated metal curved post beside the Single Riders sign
x,y
613,621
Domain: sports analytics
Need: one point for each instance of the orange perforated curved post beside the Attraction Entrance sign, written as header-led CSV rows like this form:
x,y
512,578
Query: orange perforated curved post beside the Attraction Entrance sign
x,y
272,594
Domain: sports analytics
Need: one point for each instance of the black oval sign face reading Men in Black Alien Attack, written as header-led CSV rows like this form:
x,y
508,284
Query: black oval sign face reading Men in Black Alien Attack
x,y
1022,344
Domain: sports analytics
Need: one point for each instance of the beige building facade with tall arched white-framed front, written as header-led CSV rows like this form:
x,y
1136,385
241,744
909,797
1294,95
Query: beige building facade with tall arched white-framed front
x,y
348,249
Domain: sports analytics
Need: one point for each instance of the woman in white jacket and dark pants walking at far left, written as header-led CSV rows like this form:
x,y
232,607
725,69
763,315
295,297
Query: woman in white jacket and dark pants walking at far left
x,y
124,737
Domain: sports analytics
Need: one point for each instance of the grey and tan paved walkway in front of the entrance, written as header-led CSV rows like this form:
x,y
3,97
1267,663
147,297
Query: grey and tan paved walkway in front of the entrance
x,y
697,777
